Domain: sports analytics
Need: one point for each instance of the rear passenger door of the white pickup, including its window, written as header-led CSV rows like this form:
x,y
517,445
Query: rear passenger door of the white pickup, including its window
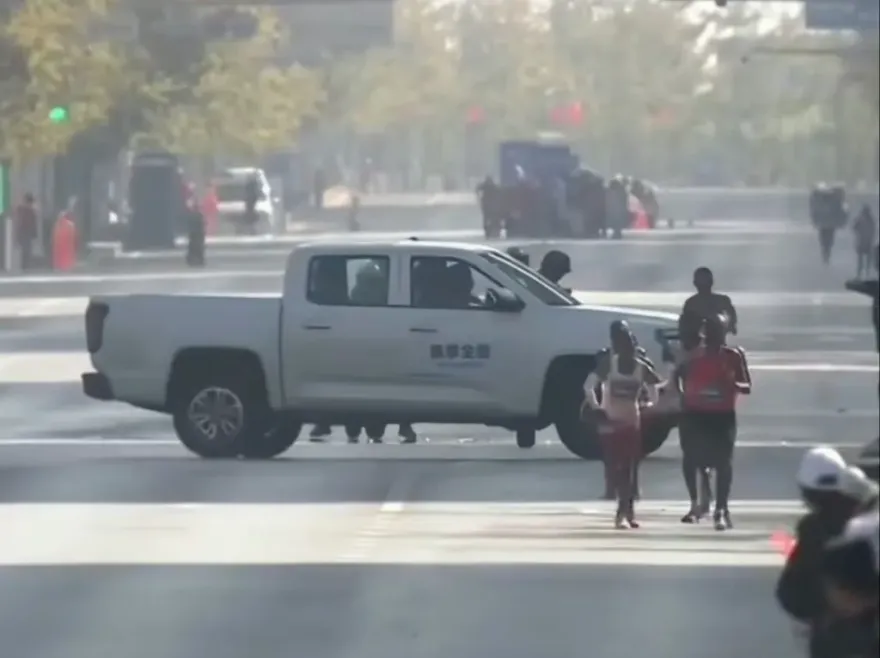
x,y
337,347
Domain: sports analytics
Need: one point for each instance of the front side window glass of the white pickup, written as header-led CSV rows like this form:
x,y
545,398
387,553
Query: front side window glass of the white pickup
x,y
447,283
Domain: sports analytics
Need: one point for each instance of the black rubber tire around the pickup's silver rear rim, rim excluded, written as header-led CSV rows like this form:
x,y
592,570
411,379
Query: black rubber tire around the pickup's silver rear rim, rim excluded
x,y
255,416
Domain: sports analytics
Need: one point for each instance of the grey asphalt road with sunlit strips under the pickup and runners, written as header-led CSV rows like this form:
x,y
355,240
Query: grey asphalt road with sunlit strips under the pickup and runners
x,y
117,543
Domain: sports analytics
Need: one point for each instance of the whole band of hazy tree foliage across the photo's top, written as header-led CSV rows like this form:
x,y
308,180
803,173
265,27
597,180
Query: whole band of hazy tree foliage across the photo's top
x,y
669,91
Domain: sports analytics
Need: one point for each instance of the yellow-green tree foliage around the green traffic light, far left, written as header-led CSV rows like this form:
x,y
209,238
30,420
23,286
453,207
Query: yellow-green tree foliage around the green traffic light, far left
x,y
63,64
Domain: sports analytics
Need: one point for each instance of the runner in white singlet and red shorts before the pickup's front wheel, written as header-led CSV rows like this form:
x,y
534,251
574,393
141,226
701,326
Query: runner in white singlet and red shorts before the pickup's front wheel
x,y
623,376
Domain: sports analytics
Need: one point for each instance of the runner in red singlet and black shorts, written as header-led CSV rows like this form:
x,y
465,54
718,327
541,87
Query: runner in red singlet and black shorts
x,y
711,379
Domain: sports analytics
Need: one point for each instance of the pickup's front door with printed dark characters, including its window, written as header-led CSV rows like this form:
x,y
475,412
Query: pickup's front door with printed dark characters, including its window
x,y
461,357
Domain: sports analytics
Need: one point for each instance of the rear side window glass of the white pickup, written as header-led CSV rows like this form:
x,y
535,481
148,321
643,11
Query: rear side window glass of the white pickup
x,y
348,280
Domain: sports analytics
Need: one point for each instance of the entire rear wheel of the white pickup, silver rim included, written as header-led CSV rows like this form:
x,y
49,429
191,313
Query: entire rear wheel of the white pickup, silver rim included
x,y
217,416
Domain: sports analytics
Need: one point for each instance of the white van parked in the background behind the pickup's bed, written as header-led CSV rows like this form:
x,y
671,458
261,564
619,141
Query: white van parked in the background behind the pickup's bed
x,y
230,189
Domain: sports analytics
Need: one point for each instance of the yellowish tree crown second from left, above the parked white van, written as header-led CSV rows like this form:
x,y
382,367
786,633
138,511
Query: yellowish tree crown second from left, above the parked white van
x,y
243,100
